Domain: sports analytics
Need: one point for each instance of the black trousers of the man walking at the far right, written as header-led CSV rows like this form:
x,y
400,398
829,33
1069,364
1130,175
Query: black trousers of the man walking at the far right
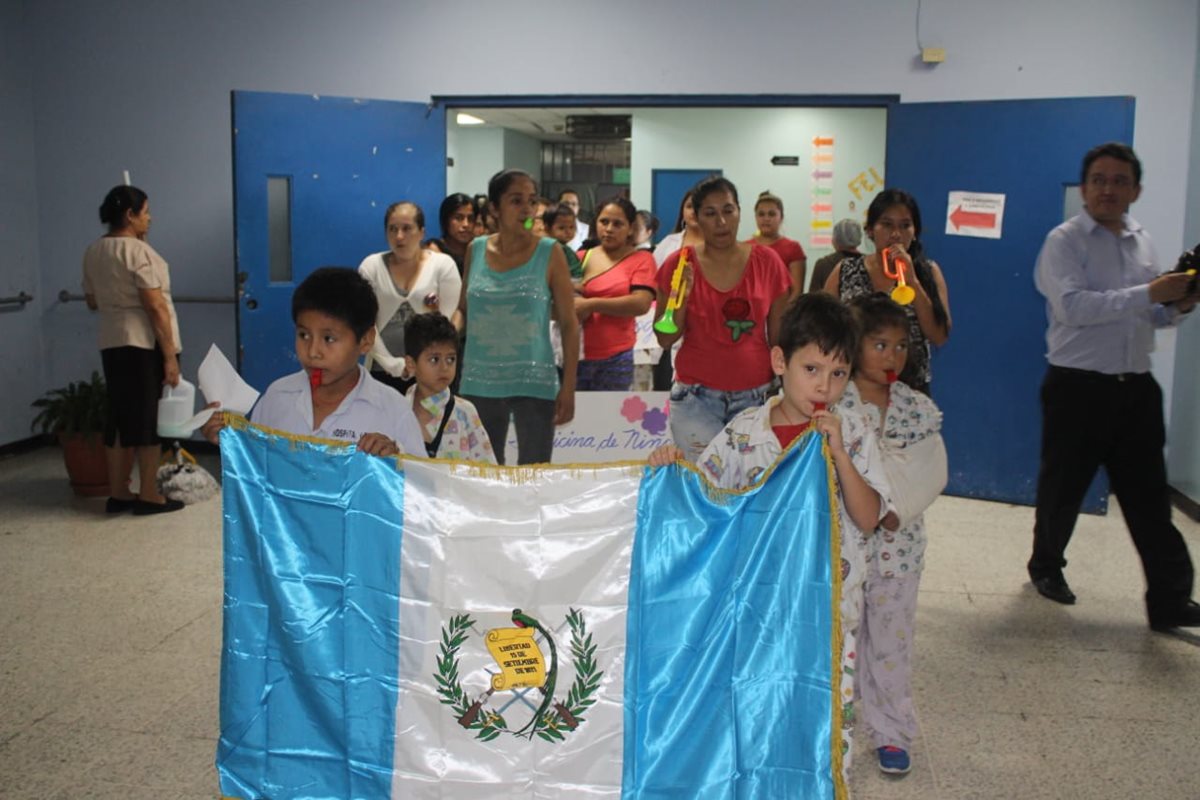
x,y
1091,420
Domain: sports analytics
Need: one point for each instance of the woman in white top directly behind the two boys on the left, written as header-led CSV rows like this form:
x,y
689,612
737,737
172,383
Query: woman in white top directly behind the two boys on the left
x,y
407,280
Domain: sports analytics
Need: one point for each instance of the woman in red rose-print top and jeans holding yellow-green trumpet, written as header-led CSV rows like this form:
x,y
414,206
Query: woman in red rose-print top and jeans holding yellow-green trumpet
x,y
735,297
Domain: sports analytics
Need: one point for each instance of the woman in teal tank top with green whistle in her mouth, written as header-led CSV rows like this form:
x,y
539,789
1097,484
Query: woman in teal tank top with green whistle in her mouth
x,y
514,285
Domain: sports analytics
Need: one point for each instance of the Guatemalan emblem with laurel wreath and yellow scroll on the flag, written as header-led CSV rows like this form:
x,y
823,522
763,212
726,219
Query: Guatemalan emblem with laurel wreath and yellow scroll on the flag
x,y
515,694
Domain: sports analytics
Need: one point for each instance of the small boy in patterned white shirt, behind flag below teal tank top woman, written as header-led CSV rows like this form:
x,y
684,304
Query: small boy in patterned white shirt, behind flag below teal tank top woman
x,y
451,425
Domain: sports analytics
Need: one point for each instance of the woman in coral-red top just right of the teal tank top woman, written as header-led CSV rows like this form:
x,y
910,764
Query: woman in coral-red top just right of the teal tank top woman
x,y
619,286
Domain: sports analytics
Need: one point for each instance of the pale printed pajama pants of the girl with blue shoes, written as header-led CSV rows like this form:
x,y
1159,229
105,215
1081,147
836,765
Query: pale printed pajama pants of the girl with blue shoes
x,y
885,659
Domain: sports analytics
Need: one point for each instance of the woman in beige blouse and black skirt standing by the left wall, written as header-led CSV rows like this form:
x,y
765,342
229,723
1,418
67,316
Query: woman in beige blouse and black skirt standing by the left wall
x,y
129,284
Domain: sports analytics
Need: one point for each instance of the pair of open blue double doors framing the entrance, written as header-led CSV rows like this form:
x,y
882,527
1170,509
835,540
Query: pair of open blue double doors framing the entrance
x,y
337,164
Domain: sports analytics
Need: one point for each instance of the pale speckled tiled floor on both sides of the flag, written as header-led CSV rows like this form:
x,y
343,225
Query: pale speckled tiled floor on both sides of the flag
x,y
111,629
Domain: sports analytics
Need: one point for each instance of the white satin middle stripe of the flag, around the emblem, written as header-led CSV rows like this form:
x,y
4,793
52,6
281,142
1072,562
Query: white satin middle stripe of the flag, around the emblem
x,y
484,548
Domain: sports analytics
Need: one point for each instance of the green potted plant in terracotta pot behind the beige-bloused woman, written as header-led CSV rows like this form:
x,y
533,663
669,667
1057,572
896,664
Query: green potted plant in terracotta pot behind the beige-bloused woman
x,y
77,416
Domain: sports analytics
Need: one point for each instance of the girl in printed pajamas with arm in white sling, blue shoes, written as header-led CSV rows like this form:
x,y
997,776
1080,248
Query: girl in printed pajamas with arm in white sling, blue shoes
x,y
908,425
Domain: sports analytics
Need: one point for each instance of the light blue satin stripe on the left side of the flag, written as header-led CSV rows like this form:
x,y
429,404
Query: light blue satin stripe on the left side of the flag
x,y
313,537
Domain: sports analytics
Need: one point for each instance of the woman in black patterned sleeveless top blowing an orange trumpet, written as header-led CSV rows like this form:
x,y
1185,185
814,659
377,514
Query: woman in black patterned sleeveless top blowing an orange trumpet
x,y
893,224
